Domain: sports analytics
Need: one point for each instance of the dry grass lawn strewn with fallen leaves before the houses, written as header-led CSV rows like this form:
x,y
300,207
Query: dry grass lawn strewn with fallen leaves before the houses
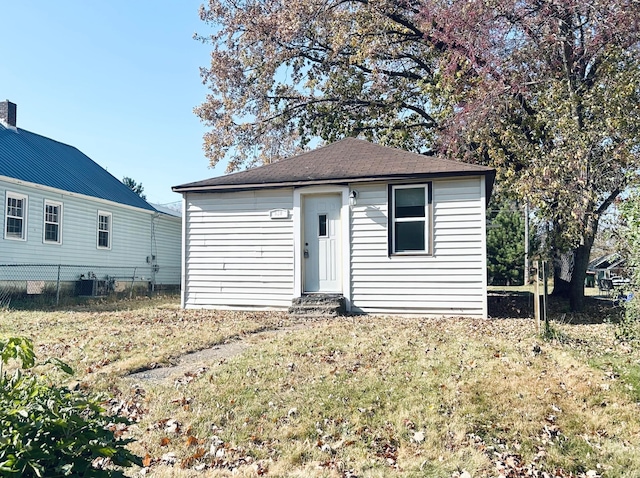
x,y
358,397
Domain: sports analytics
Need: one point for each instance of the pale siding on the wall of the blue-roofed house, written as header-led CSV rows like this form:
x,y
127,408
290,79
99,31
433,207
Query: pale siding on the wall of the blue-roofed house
x,y
131,240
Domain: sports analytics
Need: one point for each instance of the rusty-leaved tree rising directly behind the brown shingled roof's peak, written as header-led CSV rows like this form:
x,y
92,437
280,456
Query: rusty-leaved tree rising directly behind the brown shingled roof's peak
x,y
283,73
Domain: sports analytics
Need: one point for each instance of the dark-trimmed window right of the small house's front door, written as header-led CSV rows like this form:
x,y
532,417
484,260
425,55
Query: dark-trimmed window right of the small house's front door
x,y
410,219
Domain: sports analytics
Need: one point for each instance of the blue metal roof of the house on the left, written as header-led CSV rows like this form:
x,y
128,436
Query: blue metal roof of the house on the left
x,y
33,158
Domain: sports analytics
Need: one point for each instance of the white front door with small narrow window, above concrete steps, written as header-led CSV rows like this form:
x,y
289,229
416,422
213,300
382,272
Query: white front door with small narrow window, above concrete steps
x,y
322,243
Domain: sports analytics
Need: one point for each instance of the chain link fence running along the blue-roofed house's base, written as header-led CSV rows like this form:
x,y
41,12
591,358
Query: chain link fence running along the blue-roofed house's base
x,y
25,285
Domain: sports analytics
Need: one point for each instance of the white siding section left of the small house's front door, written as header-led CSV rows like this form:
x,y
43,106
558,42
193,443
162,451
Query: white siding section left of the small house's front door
x,y
236,255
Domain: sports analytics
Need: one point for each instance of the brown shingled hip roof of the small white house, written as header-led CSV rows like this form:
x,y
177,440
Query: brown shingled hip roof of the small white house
x,y
346,161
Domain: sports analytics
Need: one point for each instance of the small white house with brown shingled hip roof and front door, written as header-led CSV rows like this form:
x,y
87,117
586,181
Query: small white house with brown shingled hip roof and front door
x,y
392,231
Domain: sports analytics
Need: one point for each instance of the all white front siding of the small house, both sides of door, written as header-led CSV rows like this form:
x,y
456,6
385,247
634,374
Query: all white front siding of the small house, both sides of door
x,y
236,256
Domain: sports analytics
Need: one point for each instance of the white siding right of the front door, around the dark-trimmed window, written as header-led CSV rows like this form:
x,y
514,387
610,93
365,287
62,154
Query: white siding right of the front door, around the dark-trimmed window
x,y
448,282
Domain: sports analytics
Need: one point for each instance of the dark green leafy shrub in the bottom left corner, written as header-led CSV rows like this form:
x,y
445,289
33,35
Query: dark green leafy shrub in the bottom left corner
x,y
51,431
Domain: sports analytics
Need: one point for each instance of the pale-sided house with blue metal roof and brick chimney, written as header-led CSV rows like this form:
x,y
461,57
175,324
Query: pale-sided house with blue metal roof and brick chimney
x,y
60,207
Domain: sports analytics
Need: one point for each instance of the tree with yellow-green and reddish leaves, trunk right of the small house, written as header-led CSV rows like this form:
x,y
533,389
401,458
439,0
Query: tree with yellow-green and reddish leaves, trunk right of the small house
x,y
553,105
